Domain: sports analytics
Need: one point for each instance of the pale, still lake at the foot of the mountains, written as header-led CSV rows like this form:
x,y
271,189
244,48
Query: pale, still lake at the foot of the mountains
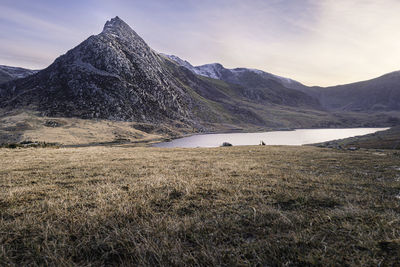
x,y
292,138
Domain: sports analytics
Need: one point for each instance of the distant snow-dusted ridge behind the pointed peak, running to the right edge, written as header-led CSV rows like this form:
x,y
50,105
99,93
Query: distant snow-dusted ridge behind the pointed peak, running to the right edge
x,y
380,94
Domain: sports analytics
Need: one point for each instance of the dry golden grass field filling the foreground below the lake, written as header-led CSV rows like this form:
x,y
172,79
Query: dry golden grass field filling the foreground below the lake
x,y
222,206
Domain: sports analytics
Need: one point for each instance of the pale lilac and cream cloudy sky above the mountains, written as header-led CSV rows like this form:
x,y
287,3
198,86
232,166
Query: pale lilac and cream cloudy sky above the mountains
x,y
316,42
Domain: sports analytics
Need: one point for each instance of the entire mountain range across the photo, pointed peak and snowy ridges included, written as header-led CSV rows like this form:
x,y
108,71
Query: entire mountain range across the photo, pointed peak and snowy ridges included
x,y
116,75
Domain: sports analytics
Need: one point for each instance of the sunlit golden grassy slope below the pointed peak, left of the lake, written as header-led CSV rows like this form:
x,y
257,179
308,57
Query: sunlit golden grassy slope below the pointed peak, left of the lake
x,y
26,125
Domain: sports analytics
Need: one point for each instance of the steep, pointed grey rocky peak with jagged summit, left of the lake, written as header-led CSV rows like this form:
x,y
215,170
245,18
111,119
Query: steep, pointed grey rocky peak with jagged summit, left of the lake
x,y
113,75
